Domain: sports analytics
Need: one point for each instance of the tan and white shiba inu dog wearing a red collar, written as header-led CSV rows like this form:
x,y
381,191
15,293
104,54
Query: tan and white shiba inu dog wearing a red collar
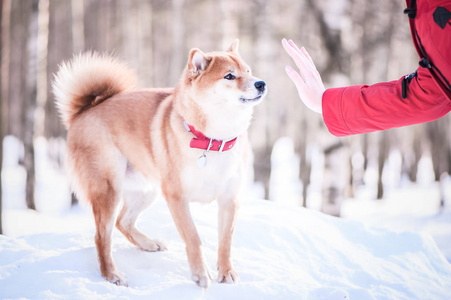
x,y
190,141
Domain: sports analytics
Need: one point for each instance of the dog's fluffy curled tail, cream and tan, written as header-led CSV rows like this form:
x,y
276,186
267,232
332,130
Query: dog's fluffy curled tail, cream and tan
x,y
87,80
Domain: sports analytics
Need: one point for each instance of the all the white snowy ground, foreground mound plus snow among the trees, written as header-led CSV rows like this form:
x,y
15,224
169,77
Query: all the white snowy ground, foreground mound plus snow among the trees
x,y
280,251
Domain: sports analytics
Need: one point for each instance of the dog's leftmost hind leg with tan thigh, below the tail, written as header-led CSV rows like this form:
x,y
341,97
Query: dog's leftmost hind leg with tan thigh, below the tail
x,y
98,172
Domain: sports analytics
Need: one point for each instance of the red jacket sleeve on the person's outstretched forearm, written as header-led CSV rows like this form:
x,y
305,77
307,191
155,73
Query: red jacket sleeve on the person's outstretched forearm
x,y
362,108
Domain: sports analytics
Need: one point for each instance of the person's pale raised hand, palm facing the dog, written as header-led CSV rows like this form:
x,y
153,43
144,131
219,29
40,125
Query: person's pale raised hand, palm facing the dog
x,y
308,81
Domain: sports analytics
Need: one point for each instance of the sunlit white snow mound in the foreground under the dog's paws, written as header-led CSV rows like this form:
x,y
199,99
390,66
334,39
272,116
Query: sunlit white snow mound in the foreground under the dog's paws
x,y
280,252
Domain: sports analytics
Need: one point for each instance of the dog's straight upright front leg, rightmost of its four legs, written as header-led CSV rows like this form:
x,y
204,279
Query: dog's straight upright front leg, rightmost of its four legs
x,y
227,214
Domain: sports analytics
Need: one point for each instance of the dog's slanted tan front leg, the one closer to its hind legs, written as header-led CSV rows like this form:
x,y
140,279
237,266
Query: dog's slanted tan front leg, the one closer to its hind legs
x,y
182,217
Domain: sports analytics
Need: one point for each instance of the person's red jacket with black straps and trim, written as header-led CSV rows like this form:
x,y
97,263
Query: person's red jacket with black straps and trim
x,y
427,95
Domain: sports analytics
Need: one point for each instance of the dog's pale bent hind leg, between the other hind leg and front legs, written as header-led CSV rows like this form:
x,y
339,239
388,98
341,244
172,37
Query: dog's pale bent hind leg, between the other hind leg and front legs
x,y
135,202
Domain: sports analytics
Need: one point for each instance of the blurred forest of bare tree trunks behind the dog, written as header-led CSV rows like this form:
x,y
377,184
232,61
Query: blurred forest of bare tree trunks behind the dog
x,y
351,41
